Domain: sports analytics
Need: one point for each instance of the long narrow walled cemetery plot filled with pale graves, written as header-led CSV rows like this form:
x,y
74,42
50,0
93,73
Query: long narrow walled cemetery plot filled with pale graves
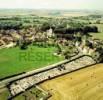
x,y
61,69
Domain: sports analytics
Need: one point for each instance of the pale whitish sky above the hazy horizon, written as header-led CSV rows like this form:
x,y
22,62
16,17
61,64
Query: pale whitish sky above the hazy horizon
x,y
53,4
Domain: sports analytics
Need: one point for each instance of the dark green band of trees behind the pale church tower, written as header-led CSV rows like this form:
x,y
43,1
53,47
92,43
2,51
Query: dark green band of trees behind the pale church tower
x,y
63,29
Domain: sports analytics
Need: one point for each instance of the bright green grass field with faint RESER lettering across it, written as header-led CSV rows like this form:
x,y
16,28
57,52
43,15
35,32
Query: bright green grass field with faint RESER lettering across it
x,y
14,60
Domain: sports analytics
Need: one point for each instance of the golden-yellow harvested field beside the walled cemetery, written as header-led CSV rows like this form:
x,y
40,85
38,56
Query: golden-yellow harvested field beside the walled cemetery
x,y
85,84
